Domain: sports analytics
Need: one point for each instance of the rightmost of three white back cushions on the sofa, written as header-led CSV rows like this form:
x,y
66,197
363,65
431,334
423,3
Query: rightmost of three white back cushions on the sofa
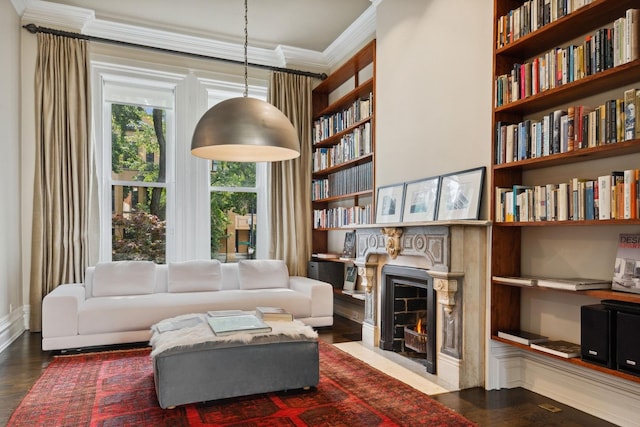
x,y
263,274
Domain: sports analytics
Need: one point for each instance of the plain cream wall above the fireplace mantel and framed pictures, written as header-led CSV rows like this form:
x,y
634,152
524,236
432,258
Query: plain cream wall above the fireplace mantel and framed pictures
x,y
433,110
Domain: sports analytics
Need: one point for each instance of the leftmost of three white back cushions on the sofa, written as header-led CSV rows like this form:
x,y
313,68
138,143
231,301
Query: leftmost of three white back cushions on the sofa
x,y
123,278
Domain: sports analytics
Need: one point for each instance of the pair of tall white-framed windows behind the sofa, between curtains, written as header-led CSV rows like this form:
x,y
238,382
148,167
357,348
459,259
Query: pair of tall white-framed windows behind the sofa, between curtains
x,y
157,201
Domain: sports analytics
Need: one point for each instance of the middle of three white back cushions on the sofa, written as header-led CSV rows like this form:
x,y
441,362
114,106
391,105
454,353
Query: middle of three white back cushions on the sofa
x,y
194,276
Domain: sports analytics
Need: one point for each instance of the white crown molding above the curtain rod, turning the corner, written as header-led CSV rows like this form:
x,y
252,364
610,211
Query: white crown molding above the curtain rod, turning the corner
x,y
83,21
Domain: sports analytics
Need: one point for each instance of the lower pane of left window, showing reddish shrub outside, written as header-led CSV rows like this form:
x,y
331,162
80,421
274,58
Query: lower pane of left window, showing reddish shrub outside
x,y
138,223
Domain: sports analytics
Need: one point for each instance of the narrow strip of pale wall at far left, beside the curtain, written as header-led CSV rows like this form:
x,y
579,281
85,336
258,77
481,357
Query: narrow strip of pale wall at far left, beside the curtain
x,y
11,296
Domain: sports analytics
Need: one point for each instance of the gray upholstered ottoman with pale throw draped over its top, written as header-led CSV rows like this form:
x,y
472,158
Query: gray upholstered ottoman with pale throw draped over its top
x,y
191,364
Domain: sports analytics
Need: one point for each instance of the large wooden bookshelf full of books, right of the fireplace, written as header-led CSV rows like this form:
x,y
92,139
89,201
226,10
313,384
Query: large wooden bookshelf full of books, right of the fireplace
x,y
563,79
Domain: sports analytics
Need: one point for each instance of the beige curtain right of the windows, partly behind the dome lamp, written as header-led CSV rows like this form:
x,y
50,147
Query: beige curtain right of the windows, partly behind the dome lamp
x,y
290,204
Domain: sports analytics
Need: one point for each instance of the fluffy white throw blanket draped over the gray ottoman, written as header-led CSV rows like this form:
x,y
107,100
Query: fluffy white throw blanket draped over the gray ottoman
x,y
190,329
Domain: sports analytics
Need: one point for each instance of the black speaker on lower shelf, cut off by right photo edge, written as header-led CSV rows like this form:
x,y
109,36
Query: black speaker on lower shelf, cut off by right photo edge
x,y
628,346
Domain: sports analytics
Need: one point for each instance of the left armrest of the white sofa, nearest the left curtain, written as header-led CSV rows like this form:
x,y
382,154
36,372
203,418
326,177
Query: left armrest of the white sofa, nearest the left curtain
x,y
60,310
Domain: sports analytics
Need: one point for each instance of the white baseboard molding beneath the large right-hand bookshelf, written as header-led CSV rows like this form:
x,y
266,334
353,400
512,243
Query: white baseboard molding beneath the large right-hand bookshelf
x,y
604,396
